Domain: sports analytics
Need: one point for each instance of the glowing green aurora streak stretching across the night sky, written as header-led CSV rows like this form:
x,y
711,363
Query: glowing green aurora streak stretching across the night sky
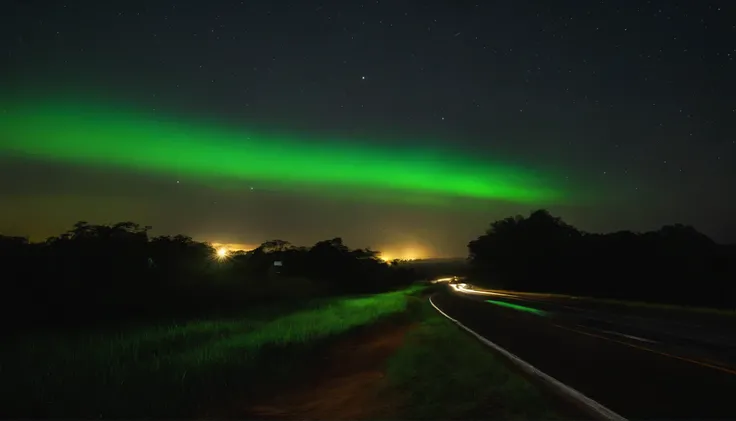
x,y
96,134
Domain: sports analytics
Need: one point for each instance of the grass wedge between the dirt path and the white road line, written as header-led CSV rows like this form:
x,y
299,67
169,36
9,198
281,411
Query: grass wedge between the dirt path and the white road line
x,y
443,373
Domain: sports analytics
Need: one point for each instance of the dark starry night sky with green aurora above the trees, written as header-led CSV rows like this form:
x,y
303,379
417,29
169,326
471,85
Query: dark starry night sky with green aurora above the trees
x,y
628,107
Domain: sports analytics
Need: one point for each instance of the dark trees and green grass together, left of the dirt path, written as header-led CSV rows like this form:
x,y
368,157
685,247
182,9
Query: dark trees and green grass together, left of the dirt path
x,y
105,321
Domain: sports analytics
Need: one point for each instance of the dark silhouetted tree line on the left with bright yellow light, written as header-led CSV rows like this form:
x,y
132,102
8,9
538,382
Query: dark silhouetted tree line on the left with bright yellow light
x,y
118,272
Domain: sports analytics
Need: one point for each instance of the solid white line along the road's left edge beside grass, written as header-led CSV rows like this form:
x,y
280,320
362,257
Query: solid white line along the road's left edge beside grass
x,y
594,406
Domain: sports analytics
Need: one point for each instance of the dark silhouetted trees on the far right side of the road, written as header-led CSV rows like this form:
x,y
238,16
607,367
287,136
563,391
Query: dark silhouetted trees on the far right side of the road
x,y
675,264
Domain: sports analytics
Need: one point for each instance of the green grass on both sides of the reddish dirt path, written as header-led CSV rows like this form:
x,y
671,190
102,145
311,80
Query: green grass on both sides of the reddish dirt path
x,y
193,368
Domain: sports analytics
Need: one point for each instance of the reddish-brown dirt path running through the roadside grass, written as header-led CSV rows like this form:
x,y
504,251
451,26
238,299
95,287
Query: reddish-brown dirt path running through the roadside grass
x,y
348,384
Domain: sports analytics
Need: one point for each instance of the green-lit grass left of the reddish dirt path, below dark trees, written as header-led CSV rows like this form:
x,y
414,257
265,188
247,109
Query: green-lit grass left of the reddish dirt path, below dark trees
x,y
173,371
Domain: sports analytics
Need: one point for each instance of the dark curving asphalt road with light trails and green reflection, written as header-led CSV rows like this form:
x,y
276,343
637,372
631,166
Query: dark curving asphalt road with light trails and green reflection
x,y
640,366
